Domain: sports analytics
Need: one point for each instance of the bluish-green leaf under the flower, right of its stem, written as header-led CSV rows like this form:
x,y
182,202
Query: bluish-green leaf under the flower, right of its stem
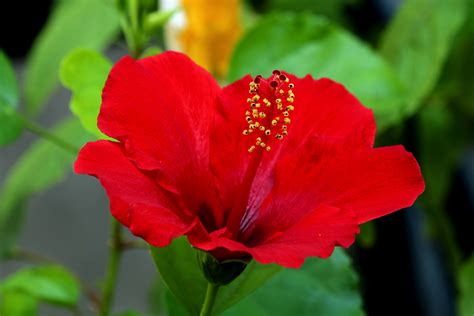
x,y
326,287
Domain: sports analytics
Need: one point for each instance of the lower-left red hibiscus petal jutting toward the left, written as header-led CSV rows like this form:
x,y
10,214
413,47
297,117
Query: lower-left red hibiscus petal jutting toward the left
x,y
135,198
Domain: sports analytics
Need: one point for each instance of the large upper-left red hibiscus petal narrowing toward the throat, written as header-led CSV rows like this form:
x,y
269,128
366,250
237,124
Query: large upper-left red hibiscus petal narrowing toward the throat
x,y
161,108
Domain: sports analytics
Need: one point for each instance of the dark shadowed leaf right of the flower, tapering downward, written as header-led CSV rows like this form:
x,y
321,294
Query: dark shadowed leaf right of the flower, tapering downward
x,y
443,137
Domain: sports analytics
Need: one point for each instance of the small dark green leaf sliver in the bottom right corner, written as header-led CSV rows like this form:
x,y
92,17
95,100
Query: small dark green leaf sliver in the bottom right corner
x,y
466,288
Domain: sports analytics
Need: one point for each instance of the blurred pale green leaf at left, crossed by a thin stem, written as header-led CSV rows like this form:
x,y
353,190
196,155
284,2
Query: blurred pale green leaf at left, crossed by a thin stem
x,y
41,166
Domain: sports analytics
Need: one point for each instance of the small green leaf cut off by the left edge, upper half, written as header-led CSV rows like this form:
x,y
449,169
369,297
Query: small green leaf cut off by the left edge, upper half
x,y
10,122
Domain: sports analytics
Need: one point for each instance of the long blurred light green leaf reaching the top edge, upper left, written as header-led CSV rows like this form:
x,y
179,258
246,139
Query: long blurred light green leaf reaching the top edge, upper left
x,y
74,23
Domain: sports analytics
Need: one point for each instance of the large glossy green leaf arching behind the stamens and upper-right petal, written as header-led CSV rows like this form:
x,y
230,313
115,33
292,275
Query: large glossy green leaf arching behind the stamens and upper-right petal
x,y
306,44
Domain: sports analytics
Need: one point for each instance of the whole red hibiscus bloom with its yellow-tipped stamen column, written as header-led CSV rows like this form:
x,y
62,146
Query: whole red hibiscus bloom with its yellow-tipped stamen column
x,y
277,169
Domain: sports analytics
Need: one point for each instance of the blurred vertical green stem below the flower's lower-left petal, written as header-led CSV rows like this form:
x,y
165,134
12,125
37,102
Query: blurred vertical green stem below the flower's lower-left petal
x,y
115,253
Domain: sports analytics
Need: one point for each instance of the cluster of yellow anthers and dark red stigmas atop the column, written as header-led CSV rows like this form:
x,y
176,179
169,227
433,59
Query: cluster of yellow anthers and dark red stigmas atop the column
x,y
270,104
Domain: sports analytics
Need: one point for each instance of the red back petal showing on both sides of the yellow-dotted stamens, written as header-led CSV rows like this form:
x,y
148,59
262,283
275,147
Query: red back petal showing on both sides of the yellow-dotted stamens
x,y
323,109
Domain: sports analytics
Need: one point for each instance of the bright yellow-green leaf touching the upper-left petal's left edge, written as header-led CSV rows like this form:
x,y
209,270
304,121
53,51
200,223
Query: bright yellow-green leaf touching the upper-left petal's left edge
x,y
84,72
